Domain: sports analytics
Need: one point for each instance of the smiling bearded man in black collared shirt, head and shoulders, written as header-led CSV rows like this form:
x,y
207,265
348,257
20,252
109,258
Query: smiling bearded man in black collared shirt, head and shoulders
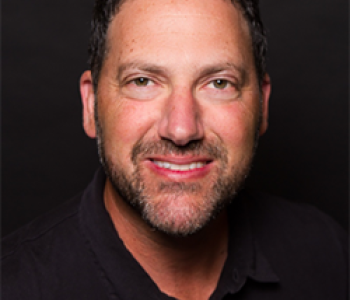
x,y
177,97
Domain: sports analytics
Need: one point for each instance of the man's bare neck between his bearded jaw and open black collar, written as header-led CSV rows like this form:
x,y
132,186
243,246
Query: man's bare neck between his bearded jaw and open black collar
x,y
182,267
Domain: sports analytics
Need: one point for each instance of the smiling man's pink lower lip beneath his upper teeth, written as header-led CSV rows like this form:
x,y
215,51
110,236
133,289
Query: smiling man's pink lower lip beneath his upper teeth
x,y
176,175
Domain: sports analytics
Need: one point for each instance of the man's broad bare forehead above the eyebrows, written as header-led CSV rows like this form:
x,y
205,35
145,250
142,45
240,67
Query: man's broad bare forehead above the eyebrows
x,y
186,27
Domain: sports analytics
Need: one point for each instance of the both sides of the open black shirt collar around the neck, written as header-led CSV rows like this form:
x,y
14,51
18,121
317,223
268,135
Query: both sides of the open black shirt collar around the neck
x,y
125,278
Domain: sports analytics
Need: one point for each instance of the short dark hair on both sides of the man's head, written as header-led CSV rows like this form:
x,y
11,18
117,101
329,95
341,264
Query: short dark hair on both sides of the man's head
x,y
105,10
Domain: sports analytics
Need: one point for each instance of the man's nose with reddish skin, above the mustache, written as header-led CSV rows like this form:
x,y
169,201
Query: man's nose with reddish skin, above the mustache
x,y
181,119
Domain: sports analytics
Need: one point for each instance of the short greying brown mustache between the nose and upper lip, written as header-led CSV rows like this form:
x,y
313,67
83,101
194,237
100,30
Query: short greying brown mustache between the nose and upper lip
x,y
166,147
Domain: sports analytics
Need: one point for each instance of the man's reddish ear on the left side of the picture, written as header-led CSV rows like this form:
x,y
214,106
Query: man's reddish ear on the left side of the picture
x,y
88,101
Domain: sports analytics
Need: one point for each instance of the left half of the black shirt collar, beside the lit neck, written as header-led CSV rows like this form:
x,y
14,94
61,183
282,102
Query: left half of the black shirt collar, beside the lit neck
x,y
123,276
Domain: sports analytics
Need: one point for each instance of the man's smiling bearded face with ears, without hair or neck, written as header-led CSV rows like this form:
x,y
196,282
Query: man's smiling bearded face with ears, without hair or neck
x,y
178,109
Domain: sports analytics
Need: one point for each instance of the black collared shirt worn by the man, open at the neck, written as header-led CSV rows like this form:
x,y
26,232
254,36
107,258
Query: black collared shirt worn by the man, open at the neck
x,y
277,250
